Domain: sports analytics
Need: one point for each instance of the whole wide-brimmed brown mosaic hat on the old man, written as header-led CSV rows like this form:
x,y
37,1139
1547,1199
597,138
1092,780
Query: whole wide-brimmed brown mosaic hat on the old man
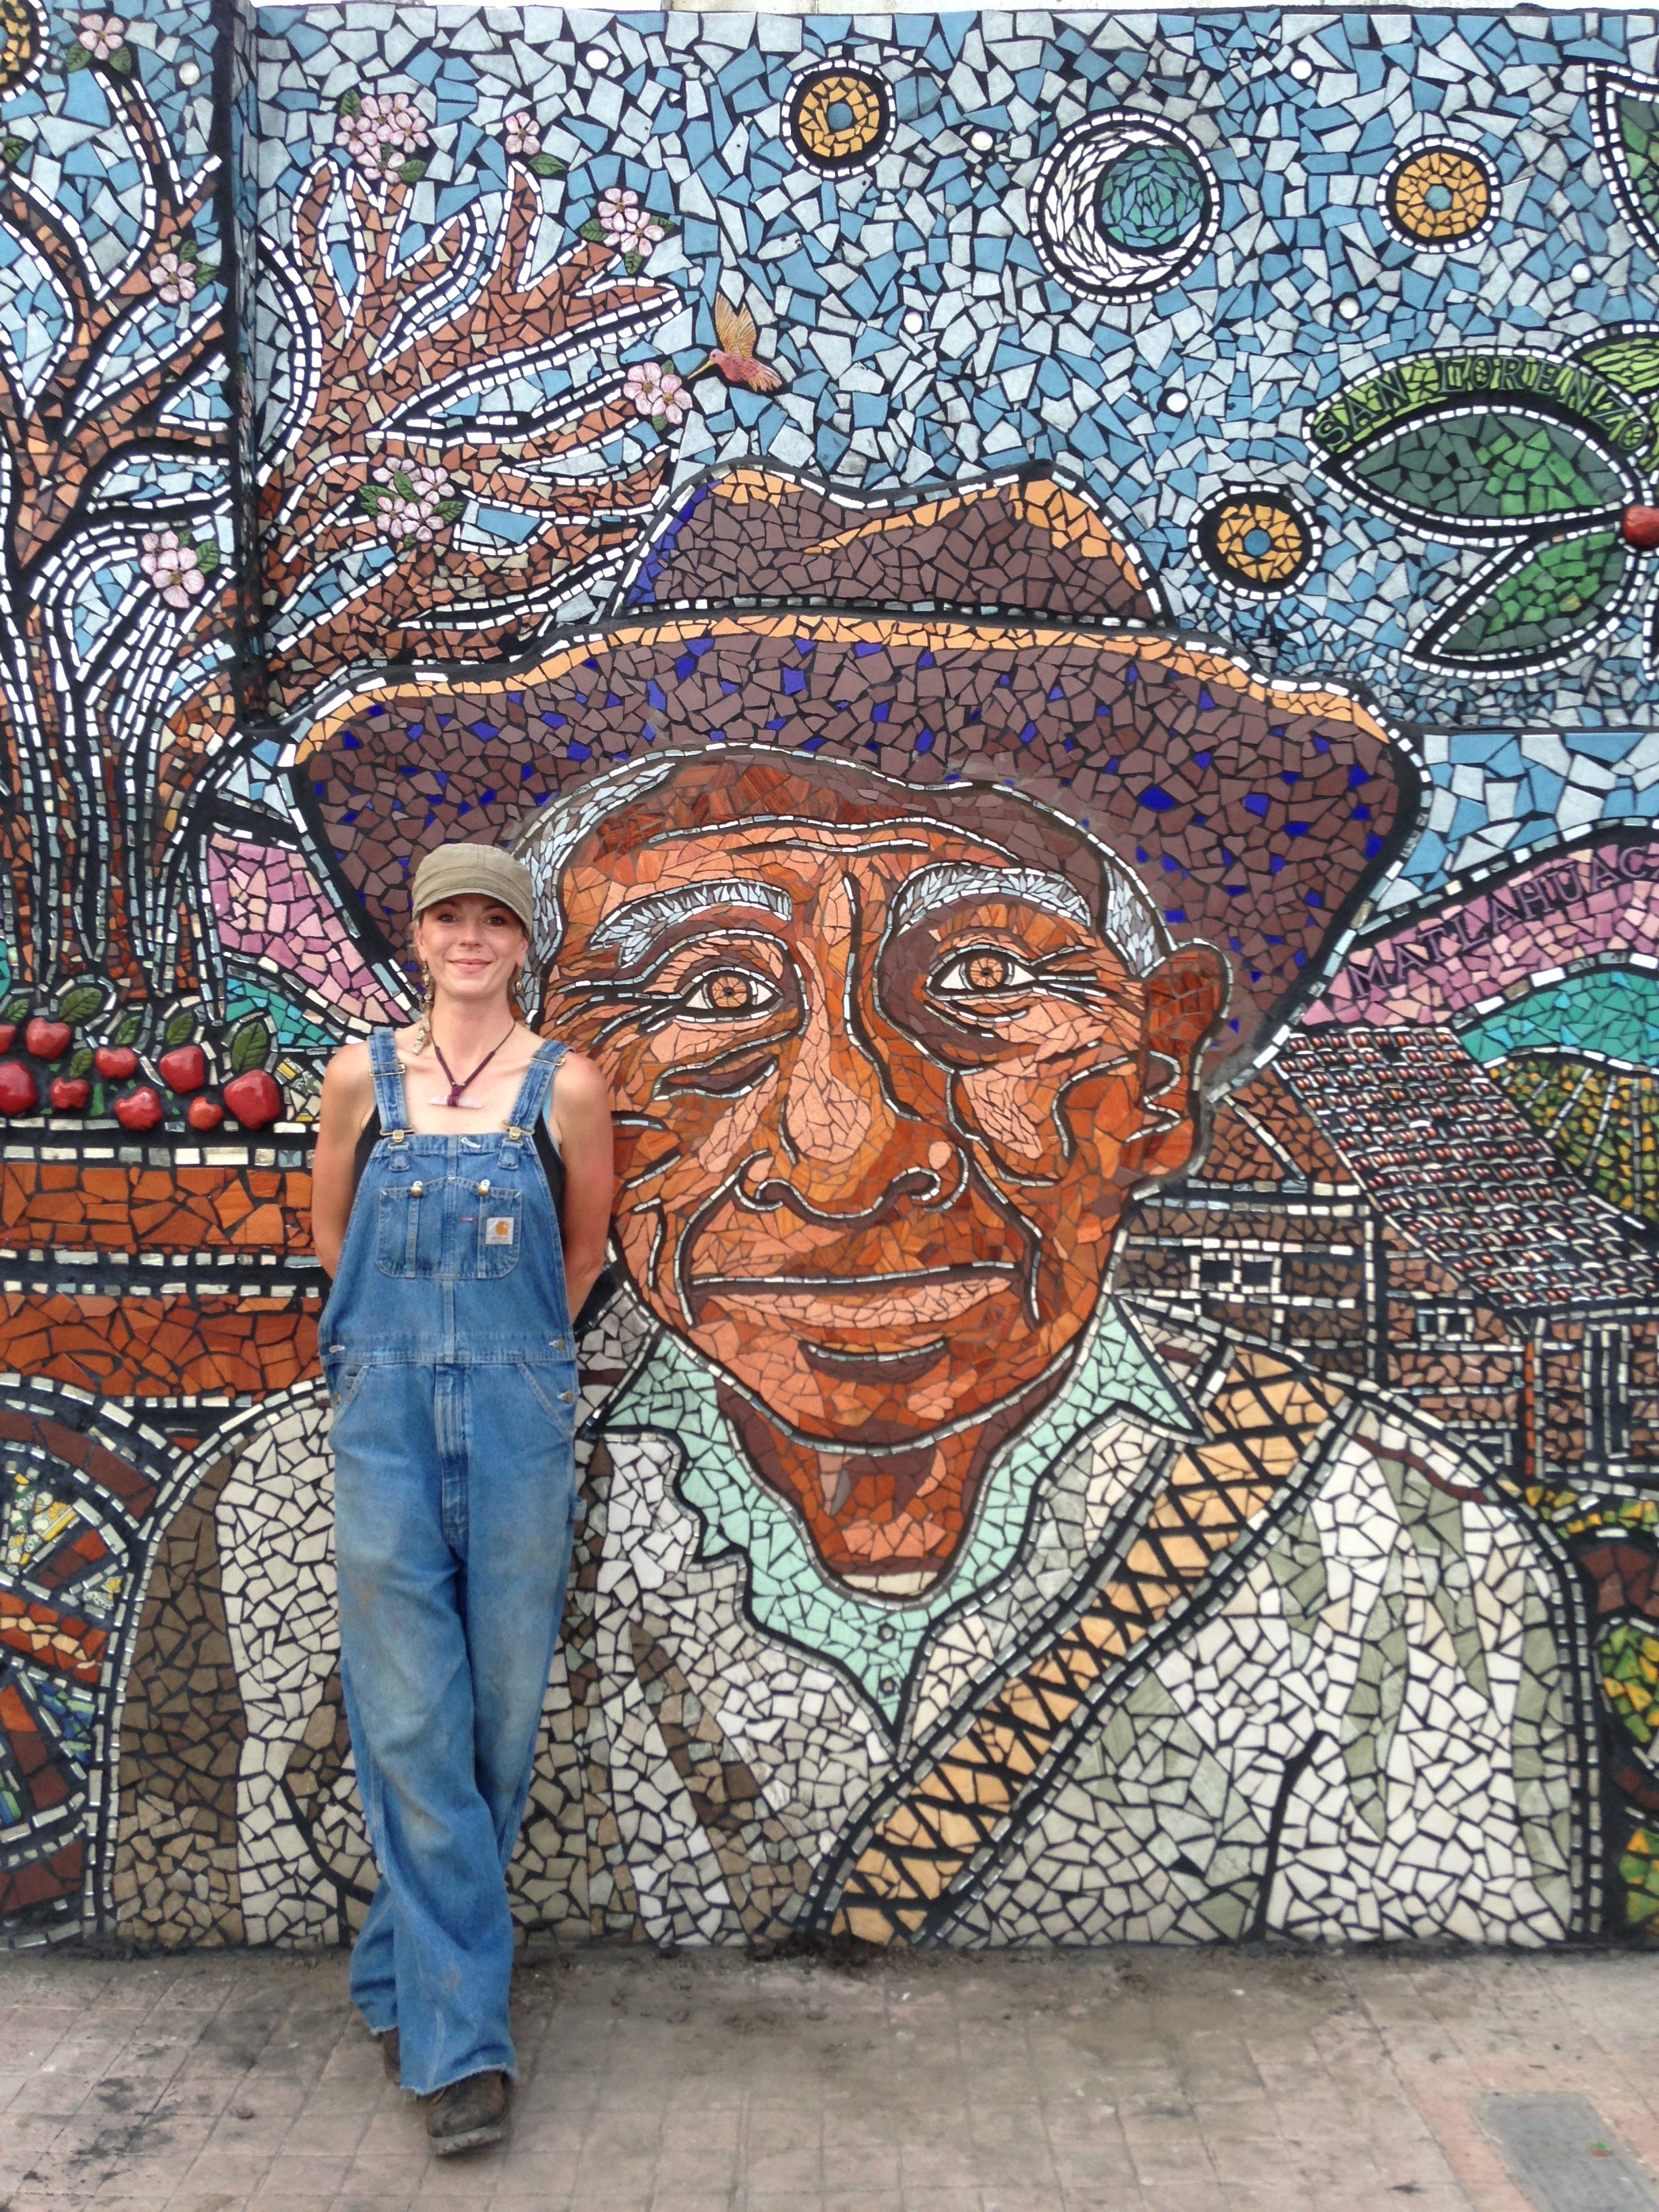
x,y
985,634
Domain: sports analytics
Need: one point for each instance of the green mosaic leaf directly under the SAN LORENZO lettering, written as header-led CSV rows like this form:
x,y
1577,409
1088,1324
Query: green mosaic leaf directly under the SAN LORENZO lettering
x,y
1465,472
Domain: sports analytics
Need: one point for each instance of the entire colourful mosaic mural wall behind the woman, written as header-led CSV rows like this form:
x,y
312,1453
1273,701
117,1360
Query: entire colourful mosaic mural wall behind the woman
x,y
1063,609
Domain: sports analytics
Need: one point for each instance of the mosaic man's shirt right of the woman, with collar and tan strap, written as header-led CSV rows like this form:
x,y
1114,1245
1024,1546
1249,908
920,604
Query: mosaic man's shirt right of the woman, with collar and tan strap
x,y
1220,1653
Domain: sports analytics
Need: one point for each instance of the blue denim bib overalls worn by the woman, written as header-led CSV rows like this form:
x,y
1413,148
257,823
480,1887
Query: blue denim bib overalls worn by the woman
x,y
452,1368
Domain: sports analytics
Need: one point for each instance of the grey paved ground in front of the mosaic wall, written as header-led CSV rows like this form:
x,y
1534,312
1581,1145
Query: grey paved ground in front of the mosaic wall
x,y
1096,2083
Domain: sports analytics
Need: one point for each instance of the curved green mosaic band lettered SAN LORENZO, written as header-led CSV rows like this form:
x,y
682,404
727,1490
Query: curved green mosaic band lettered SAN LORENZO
x,y
1439,382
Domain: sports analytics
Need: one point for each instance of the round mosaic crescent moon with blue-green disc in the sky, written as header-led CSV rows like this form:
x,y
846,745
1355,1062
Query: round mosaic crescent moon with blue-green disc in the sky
x,y
1123,207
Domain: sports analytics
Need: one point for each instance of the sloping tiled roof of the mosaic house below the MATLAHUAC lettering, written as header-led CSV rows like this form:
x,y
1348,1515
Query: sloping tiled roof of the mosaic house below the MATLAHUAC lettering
x,y
1461,1173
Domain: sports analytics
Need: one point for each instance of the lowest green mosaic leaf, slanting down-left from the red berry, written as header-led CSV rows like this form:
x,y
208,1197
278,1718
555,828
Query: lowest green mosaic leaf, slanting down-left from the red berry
x,y
1536,605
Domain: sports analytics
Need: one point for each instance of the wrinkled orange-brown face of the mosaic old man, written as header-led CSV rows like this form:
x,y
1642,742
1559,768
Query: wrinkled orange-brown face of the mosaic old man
x,y
886,1072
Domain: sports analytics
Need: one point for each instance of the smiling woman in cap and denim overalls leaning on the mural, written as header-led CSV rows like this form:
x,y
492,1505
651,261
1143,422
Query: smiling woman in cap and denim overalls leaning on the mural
x,y
459,1246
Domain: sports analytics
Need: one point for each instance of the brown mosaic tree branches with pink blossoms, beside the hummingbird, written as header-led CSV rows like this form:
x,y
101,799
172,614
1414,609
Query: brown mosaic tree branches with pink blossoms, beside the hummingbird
x,y
404,501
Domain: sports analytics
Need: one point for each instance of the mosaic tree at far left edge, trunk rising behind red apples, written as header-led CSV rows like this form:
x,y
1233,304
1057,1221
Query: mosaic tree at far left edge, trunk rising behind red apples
x,y
83,720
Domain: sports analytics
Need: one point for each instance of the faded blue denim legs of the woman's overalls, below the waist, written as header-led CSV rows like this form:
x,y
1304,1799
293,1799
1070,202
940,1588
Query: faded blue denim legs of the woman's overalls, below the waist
x,y
455,1499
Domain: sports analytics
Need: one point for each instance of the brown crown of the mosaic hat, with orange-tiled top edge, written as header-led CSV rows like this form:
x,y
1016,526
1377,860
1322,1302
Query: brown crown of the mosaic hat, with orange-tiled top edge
x,y
1023,543
